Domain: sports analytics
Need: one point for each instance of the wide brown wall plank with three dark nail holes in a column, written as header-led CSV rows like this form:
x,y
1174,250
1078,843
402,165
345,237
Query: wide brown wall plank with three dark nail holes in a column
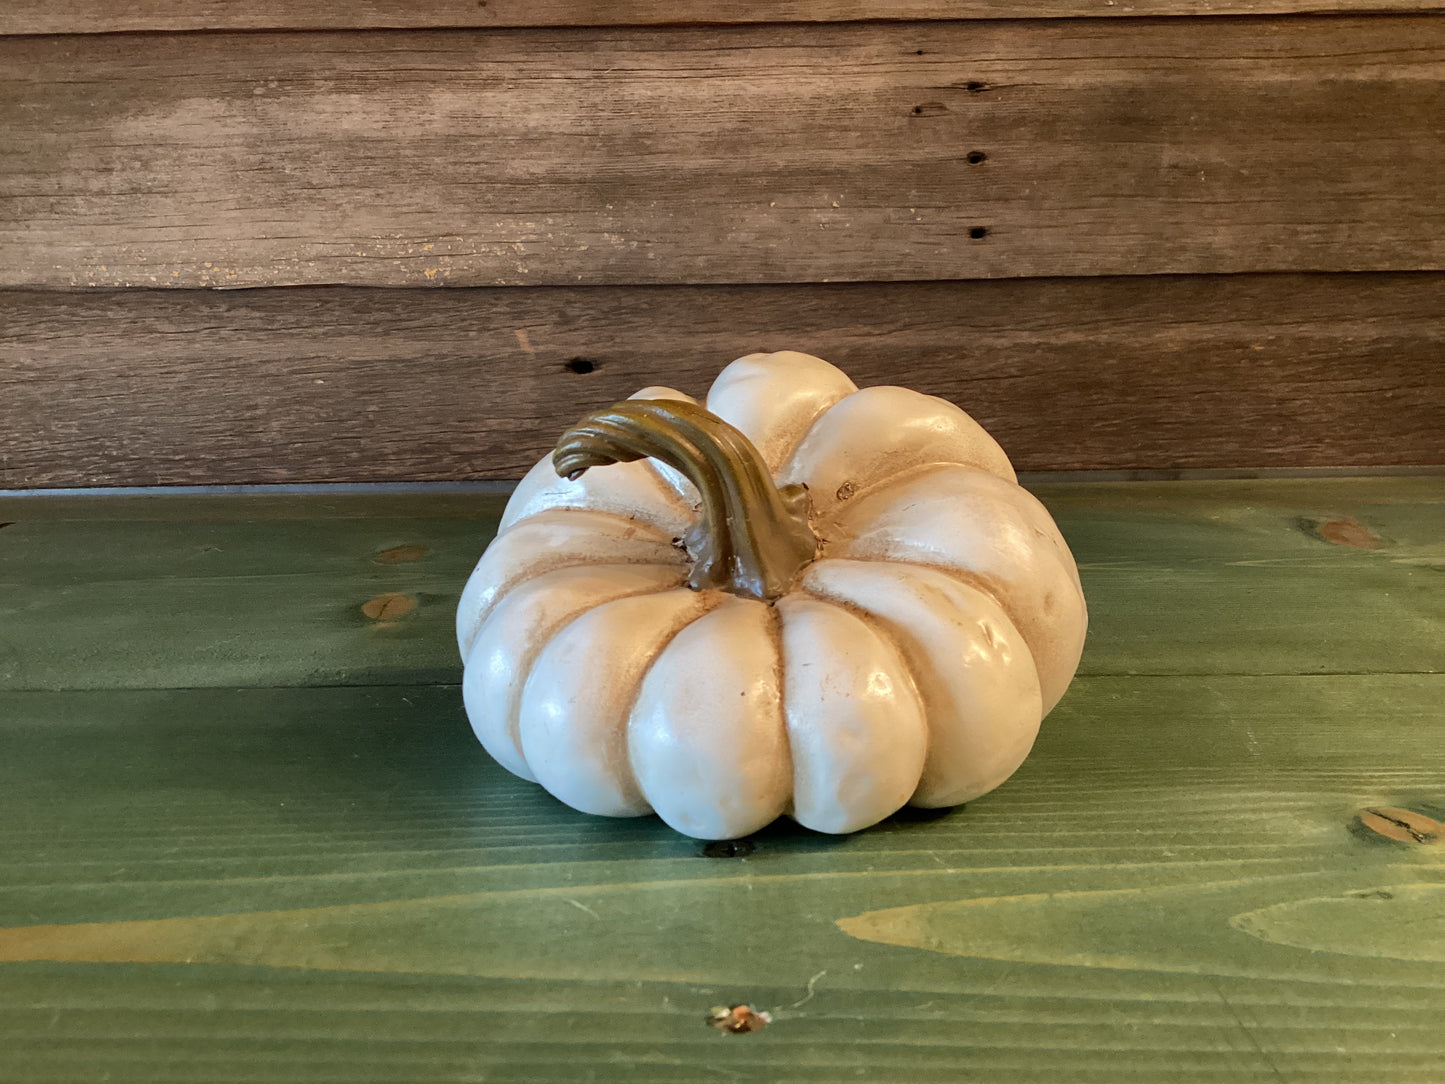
x,y
858,152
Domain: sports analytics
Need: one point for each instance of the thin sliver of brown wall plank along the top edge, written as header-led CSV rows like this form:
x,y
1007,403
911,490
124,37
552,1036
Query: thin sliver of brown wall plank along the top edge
x,y
93,17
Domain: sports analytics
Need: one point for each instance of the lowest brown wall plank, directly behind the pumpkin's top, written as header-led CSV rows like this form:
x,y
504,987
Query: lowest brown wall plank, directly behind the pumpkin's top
x,y
350,385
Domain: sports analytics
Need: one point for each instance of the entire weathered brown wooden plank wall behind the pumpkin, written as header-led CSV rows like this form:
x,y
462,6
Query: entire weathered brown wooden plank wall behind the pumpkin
x,y
371,244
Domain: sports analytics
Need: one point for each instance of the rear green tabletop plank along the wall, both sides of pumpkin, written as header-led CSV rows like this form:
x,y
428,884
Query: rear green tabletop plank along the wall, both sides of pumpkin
x,y
167,601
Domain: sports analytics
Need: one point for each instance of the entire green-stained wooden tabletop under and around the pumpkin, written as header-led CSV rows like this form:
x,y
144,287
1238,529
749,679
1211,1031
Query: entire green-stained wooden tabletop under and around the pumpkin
x,y
246,833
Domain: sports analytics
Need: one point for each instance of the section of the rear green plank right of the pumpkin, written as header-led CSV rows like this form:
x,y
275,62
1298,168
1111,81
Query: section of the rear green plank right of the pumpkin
x,y
1261,576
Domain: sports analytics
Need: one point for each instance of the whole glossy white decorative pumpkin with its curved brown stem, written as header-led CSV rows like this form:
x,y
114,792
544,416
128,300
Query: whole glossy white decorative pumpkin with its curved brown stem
x,y
824,602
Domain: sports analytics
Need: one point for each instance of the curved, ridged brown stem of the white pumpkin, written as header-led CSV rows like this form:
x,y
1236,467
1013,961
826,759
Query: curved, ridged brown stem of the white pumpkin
x,y
754,537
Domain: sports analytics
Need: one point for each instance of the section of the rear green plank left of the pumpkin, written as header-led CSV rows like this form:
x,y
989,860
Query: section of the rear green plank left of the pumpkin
x,y
274,602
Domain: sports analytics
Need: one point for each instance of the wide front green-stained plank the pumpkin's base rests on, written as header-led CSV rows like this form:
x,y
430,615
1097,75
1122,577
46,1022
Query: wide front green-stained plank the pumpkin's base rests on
x,y
336,884
